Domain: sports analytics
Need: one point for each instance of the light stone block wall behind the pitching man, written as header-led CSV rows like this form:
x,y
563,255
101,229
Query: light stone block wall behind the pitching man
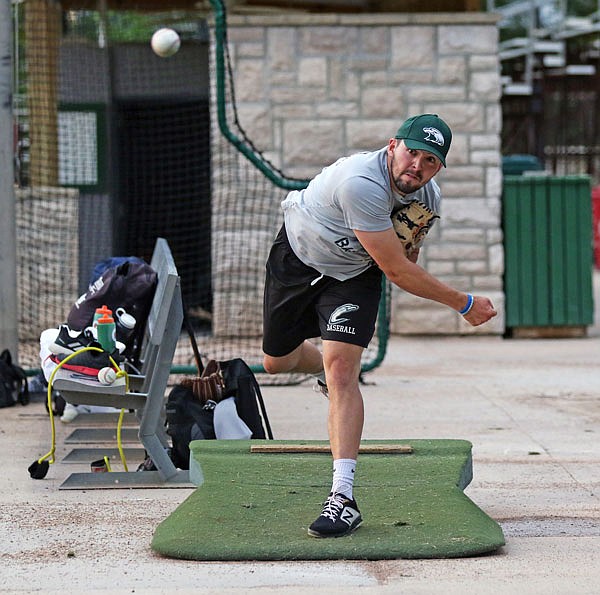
x,y
310,88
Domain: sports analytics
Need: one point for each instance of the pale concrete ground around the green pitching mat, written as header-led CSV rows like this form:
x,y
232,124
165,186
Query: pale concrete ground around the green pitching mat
x,y
530,407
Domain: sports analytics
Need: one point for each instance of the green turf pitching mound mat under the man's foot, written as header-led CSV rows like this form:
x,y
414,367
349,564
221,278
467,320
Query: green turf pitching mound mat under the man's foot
x,y
258,505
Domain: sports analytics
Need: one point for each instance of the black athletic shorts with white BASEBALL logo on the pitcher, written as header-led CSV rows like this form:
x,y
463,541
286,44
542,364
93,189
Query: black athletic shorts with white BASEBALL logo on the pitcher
x,y
300,303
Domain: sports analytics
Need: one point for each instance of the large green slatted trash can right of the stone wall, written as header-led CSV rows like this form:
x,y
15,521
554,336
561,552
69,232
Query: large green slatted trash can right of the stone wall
x,y
547,224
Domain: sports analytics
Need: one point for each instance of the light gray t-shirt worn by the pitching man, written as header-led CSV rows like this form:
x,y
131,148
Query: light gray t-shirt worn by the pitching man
x,y
352,193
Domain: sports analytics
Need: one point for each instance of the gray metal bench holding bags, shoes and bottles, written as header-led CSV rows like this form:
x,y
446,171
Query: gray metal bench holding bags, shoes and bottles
x,y
146,394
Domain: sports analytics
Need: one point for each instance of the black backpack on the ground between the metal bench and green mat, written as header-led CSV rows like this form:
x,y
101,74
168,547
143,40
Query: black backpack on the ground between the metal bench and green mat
x,y
188,419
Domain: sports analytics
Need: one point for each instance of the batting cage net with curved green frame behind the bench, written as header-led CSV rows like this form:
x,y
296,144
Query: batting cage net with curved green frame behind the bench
x,y
116,147
